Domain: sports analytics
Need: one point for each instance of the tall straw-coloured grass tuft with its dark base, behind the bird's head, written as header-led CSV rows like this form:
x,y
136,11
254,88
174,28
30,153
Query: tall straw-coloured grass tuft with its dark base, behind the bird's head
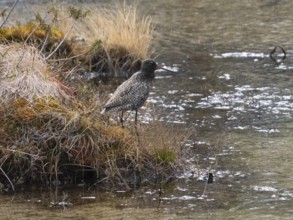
x,y
119,38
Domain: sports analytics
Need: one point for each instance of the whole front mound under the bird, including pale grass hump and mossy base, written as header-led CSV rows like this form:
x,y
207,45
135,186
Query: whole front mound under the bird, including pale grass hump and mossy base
x,y
48,136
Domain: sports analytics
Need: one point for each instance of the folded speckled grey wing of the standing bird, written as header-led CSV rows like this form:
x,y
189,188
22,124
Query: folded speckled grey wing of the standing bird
x,y
129,93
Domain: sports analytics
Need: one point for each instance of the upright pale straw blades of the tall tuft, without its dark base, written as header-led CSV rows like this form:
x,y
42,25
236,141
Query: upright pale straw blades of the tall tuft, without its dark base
x,y
117,27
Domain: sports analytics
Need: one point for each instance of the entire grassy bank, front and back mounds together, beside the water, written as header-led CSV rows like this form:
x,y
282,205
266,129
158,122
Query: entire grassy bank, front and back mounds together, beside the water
x,y
51,131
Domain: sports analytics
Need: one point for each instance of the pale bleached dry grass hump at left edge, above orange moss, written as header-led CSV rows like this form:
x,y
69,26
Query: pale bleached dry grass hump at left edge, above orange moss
x,y
25,74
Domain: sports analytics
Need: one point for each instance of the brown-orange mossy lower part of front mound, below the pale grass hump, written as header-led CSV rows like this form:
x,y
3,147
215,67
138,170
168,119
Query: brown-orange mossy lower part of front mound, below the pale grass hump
x,y
43,141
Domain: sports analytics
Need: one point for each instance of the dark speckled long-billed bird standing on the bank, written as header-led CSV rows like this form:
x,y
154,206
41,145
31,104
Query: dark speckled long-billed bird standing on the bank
x,y
132,94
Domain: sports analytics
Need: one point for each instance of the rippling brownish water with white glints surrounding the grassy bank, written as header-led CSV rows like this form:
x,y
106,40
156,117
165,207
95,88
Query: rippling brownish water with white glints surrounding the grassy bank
x,y
239,102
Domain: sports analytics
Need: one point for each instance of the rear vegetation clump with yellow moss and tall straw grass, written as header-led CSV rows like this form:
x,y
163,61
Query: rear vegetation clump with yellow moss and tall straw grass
x,y
109,41
